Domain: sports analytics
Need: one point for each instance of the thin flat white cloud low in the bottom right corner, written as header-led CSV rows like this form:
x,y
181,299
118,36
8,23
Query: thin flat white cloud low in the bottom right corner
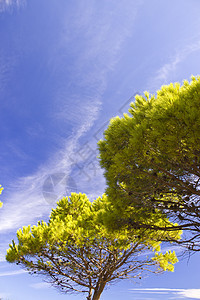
x,y
179,293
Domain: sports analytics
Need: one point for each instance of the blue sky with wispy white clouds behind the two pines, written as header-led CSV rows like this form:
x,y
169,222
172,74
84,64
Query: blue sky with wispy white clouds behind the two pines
x,y
66,68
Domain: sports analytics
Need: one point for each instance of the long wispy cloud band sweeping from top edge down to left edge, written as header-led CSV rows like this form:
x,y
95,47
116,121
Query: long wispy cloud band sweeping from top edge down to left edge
x,y
102,44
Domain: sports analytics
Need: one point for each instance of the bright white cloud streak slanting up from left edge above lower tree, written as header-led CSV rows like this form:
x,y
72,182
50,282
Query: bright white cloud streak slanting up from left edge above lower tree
x,y
24,201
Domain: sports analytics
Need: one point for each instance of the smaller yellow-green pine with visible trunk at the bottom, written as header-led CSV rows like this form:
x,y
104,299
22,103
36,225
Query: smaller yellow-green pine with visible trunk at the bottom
x,y
77,254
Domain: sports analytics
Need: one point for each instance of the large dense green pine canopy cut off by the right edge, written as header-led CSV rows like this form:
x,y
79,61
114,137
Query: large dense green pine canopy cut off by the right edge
x,y
151,158
